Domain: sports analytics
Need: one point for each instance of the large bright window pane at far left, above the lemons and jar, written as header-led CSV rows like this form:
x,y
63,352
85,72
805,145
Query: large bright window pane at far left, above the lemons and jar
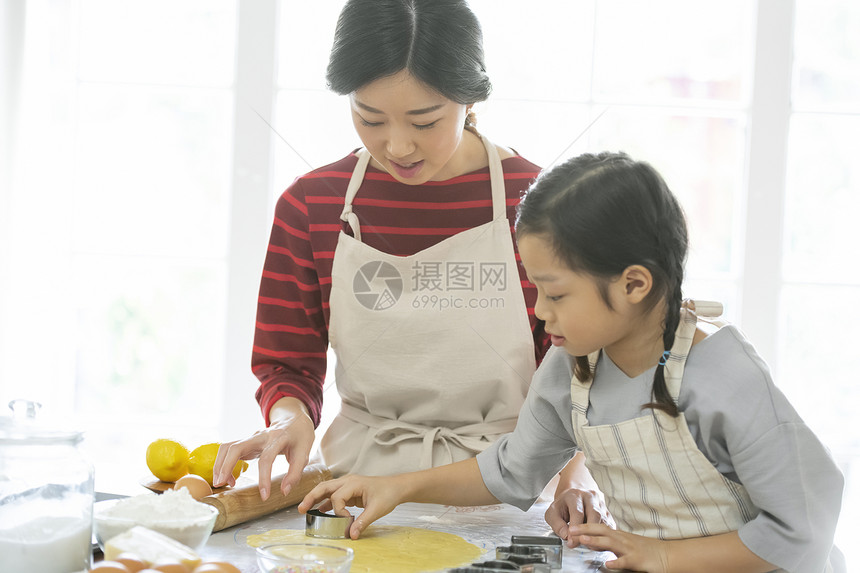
x,y
115,311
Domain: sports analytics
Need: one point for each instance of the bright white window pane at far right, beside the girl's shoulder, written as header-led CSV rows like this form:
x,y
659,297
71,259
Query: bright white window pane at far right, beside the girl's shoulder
x,y
816,338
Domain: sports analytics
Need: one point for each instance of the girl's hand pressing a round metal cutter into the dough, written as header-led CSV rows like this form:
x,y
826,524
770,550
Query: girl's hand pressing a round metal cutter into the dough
x,y
377,495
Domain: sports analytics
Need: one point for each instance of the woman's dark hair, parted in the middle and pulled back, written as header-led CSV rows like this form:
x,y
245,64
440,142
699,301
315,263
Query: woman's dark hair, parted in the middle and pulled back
x,y
438,41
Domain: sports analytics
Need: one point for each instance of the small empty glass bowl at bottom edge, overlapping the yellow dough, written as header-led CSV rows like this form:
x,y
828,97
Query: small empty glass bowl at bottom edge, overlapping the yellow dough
x,y
304,558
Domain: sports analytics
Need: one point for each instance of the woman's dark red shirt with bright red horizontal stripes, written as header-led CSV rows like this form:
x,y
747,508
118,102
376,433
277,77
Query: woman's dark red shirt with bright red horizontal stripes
x,y
291,338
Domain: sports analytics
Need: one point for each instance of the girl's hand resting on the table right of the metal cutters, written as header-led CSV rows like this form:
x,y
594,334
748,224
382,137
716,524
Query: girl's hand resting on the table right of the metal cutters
x,y
634,552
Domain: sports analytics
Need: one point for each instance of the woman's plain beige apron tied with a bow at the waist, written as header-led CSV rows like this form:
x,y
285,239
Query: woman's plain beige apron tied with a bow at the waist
x,y
434,351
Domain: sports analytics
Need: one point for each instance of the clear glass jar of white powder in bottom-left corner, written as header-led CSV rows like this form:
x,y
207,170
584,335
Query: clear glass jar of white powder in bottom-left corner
x,y
46,496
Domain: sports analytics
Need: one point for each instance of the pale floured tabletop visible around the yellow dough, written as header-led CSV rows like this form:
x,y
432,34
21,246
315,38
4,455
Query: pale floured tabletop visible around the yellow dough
x,y
486,526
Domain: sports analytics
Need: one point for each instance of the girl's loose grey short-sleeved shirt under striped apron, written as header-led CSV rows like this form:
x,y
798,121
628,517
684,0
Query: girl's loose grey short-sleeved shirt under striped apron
x,y
740,420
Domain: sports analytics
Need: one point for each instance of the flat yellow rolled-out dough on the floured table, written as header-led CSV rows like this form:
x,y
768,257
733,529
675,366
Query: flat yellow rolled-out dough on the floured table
x,y
389,548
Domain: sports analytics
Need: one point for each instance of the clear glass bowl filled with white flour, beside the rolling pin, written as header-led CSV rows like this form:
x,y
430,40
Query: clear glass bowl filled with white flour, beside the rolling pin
x,y
193,532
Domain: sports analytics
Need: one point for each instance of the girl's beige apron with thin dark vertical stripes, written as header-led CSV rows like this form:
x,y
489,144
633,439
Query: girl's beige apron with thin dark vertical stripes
x,y
656,480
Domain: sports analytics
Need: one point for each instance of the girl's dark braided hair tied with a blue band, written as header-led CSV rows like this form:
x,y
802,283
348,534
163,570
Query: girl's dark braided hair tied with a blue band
x,y
603,213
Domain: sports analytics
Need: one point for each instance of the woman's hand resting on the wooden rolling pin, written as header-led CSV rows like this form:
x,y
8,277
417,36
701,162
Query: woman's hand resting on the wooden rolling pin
x,y
291,433
